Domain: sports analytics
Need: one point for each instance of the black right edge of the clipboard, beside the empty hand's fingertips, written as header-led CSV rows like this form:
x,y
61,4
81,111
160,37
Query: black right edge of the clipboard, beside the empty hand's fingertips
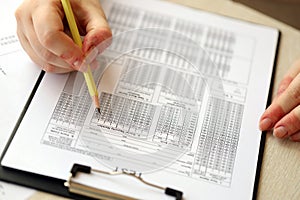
x,y
264,133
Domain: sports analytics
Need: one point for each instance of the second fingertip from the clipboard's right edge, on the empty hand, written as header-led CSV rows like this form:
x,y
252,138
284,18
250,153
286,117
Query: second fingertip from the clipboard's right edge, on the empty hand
x,y
288,125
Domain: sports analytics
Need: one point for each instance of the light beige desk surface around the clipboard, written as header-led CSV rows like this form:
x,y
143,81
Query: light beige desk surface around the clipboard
x,y
279,178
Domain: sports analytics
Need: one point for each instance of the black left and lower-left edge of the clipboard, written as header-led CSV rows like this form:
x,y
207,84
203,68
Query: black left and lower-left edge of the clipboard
x,y
31,180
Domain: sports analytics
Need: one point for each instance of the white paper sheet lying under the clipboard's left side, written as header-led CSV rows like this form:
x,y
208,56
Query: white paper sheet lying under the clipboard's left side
x,y
17,79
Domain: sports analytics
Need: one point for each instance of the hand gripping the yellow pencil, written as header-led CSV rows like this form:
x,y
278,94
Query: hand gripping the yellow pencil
x,y
41,31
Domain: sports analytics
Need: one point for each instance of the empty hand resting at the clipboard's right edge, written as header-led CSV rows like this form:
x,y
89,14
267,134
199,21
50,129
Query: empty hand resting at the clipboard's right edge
x,y
283,115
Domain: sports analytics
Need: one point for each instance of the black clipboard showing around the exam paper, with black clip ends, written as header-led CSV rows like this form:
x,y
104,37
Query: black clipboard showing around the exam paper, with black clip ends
x,y
58,186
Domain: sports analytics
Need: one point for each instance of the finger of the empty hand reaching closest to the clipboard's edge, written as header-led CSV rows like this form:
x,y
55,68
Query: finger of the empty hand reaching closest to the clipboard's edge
x,y
282,105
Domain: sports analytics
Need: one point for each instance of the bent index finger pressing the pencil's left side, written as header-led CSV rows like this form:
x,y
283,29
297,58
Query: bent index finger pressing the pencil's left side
x,y
52,36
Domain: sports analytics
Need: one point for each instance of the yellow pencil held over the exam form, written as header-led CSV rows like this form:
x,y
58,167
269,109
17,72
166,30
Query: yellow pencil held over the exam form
x,y
76,37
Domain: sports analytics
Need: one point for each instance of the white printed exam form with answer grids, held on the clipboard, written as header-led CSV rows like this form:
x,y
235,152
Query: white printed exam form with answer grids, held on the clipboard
x,y
194,129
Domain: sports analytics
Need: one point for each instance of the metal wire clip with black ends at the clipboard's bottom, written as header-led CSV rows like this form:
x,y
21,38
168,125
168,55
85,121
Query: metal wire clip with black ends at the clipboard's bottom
x,y
86,169
